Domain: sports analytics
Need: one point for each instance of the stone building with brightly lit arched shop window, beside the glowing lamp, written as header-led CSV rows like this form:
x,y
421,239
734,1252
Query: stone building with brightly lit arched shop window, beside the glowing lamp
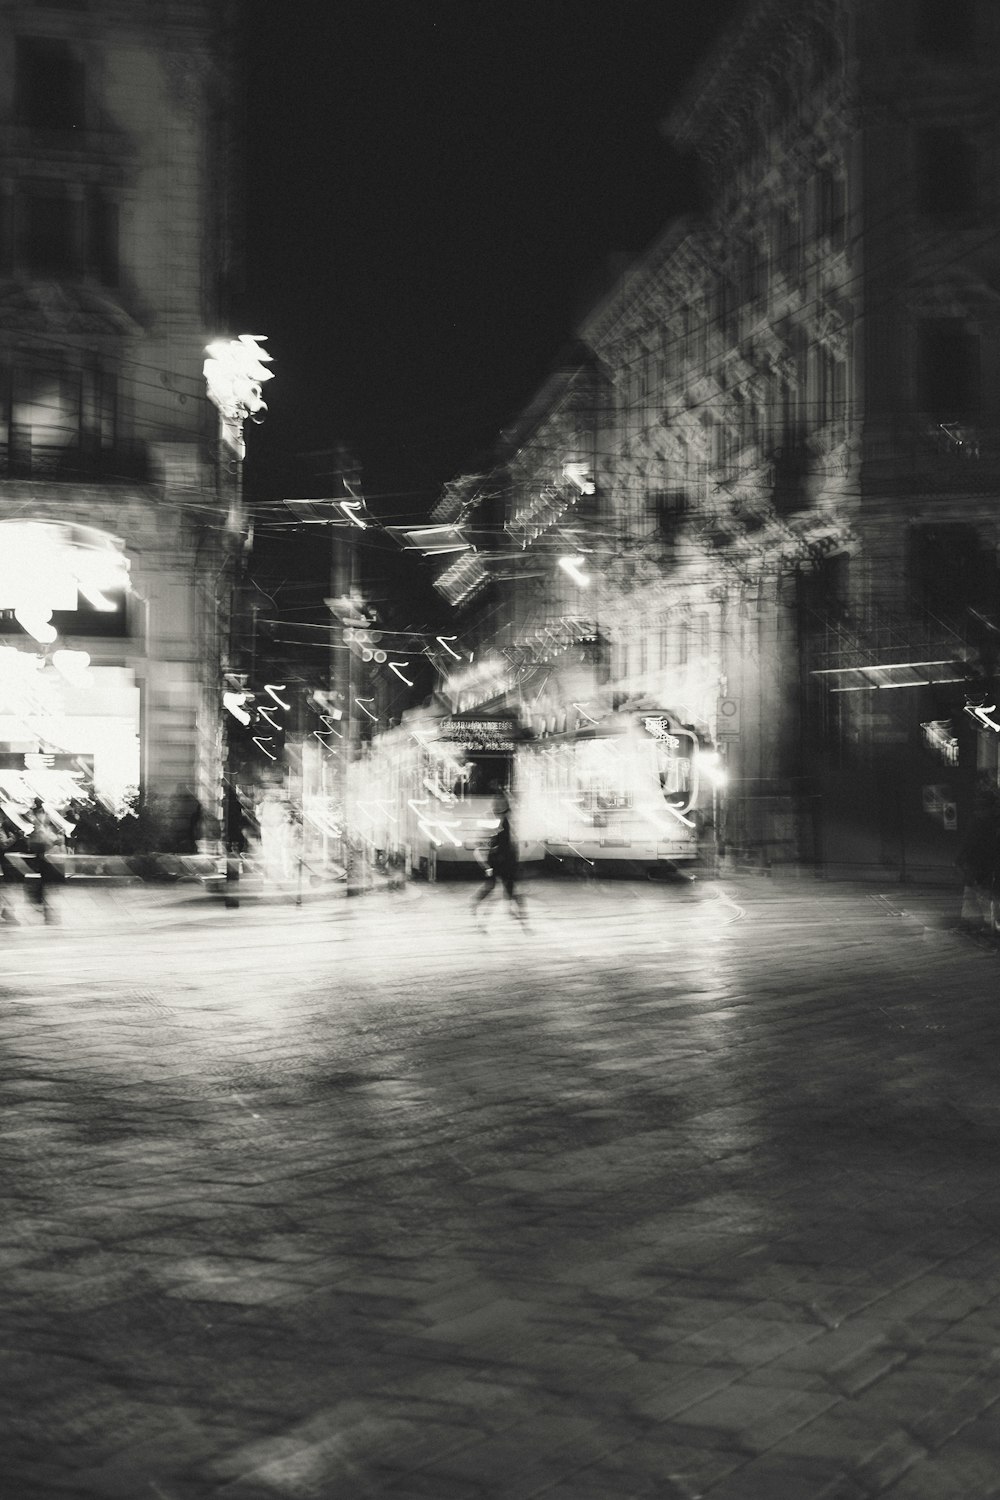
x,y
118,230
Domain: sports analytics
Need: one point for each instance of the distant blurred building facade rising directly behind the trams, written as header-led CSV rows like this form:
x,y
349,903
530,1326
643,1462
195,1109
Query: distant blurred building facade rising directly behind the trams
x,y
528,620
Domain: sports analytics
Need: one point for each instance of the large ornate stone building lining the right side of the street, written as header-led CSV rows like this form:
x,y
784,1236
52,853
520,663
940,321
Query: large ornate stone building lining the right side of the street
x,y
797,460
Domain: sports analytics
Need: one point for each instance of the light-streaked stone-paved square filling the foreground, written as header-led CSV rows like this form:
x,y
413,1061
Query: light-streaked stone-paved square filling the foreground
x,y
687,1190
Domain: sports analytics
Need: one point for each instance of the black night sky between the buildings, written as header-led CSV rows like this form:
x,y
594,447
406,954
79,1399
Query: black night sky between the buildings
x,y
434,193
